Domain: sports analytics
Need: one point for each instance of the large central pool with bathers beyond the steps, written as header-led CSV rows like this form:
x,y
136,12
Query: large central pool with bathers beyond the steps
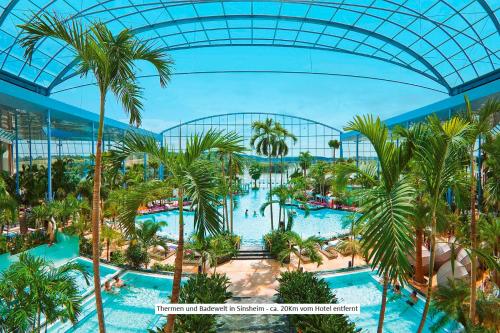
x,y
322,223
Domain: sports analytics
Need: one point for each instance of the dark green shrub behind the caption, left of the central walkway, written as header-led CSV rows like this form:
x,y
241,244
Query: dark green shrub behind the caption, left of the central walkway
x,y
202,288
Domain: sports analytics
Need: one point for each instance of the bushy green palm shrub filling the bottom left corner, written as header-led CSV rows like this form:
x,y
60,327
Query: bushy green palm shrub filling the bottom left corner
x,y
32,289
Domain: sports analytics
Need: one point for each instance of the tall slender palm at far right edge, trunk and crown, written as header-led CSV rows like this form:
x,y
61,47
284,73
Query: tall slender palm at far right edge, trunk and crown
x,y
481,123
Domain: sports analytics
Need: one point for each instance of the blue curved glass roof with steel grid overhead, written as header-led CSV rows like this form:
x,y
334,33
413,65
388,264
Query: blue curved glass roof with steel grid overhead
x,y
448,41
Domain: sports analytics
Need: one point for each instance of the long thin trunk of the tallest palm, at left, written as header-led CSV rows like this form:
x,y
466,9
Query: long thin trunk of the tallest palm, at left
x,y
96,201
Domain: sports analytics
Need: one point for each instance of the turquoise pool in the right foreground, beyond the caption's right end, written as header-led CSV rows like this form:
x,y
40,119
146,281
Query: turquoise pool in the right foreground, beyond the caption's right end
x,y
364,288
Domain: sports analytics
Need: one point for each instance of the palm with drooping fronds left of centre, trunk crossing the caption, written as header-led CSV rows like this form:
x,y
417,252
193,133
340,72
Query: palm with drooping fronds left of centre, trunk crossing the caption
x,y
192,174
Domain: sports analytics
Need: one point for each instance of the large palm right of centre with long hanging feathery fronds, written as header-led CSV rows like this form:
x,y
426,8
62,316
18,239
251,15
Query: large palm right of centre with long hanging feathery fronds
x,y
386,208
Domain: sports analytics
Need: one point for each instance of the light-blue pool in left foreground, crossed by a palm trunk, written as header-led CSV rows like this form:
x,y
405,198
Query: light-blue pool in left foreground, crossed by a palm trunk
x,y
131,309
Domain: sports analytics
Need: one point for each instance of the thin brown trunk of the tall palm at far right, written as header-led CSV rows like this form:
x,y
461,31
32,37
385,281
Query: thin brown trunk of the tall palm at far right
x,y
473,240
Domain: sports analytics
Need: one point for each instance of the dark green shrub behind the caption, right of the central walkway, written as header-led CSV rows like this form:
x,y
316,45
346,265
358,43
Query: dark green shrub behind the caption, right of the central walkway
x,y
305,288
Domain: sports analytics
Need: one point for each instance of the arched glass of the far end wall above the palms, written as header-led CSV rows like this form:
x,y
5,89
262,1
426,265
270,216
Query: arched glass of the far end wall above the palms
x,y
311,135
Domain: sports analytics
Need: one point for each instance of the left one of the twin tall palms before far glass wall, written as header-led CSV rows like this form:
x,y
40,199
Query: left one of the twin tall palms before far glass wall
x,y
263,141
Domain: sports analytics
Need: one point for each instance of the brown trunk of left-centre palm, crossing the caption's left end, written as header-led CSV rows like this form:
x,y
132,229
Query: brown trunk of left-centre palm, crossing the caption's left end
x,y
176,288
